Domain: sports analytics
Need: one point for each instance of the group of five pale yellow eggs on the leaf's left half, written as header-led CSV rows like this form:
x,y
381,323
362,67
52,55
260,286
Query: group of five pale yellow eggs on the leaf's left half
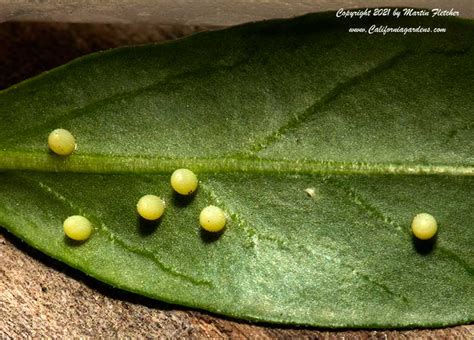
x,y
149,207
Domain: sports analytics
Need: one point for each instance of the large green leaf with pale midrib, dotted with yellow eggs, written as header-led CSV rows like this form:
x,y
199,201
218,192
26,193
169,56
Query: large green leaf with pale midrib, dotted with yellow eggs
x,y
379,127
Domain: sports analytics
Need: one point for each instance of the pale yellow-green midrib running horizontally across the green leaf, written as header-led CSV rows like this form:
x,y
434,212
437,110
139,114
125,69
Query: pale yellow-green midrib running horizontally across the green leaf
x,y
46,162
